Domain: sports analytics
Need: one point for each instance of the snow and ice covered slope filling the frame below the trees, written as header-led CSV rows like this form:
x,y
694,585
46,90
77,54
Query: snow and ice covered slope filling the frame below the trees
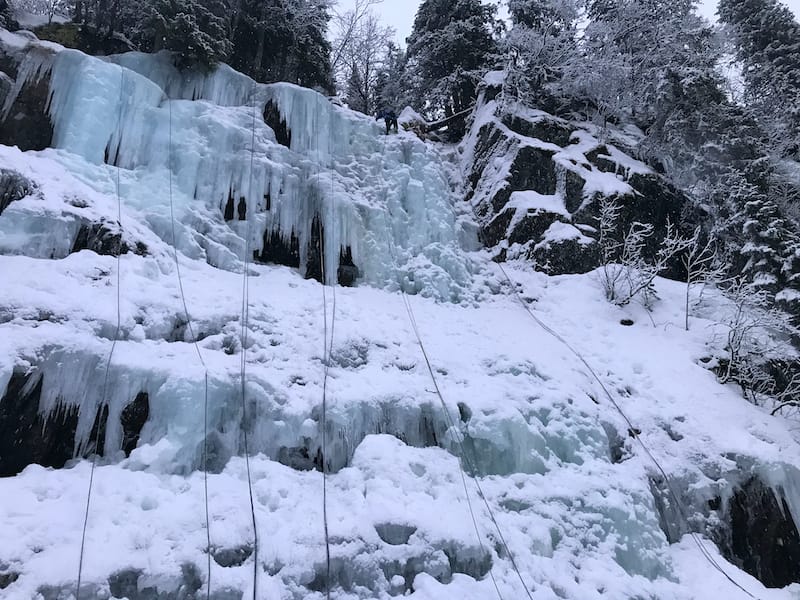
x,y
569,489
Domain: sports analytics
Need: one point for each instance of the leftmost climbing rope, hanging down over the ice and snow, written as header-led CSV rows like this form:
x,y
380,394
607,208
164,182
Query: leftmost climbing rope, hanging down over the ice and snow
x,y
104,393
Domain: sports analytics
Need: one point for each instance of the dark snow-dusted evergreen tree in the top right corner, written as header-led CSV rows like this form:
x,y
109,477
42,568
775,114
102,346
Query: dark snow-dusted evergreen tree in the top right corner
x,y
766,38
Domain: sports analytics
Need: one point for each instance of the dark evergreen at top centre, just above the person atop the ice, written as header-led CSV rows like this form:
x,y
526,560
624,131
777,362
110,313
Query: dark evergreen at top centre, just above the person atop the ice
x,y
449,49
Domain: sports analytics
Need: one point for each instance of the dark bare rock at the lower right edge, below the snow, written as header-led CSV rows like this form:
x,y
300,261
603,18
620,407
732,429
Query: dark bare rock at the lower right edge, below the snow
x,y
762,537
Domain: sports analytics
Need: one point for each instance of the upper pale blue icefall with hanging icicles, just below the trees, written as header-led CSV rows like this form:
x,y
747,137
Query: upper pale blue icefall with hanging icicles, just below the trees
x,y
383,202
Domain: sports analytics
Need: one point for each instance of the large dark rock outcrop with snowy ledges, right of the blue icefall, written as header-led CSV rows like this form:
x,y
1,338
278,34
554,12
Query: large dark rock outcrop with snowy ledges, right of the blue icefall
x,y
554,159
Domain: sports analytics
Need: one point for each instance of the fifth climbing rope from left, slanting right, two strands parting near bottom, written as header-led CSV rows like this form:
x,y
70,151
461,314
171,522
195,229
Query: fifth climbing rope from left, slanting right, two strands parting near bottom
x,y
451,423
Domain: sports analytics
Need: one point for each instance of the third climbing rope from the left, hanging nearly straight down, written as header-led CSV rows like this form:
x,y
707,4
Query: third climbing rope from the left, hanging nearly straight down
x,y
245,317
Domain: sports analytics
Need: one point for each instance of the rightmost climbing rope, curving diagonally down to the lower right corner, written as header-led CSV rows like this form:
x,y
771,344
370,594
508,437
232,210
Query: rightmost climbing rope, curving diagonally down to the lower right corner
x,y
633,430
